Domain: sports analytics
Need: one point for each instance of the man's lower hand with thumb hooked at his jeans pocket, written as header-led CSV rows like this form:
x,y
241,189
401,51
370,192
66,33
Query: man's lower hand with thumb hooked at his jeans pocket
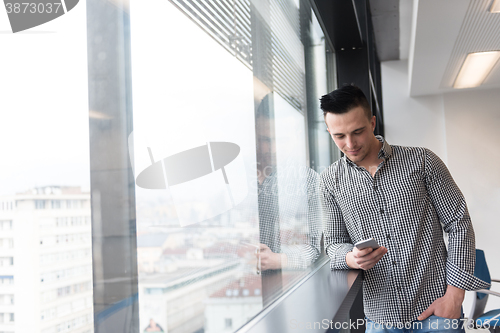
x,y
448,306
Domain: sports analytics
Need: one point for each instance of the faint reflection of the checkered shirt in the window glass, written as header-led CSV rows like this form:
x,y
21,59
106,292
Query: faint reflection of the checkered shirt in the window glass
x,y
290,217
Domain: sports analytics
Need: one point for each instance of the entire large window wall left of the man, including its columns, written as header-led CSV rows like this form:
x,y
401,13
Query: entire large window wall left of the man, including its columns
x,y
160,163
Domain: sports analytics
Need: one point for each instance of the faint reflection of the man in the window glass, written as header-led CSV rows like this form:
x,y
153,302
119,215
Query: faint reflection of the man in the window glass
x,y
288,201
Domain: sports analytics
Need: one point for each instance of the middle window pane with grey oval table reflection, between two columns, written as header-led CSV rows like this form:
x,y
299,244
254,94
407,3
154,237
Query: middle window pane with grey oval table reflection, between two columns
x,y
190,234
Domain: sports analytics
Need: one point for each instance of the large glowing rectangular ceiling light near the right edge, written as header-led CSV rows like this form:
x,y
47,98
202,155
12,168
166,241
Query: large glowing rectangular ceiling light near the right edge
x,y
475,69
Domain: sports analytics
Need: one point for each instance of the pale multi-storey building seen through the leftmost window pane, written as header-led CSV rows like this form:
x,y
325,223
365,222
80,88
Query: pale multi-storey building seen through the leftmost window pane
x,y
46,261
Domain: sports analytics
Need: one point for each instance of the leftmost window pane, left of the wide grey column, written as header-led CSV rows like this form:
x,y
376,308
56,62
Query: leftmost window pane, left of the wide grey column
x,y
44,139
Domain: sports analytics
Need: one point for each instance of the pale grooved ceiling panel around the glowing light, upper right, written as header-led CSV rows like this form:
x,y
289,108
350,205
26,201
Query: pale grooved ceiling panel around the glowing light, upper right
x,y
442,33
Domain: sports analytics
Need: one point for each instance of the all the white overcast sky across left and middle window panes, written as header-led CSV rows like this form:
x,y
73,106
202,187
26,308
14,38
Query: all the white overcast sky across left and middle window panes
x,y
187,90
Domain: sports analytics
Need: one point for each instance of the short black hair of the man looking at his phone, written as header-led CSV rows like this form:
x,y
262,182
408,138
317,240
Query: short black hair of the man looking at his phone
x,y
344,99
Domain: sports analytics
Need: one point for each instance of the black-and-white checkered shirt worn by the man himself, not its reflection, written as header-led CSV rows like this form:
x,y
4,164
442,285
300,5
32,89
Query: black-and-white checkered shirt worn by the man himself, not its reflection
x,y
406,206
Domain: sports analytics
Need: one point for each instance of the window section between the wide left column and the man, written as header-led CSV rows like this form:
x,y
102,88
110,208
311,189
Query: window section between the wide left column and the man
x,y
228,215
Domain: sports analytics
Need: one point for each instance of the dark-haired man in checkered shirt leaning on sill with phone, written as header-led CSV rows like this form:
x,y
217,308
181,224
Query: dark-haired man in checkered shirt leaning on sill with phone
x,y
400,196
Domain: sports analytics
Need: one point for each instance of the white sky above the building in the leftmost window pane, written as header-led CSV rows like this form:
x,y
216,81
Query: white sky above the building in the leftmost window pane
x,y
44,104
